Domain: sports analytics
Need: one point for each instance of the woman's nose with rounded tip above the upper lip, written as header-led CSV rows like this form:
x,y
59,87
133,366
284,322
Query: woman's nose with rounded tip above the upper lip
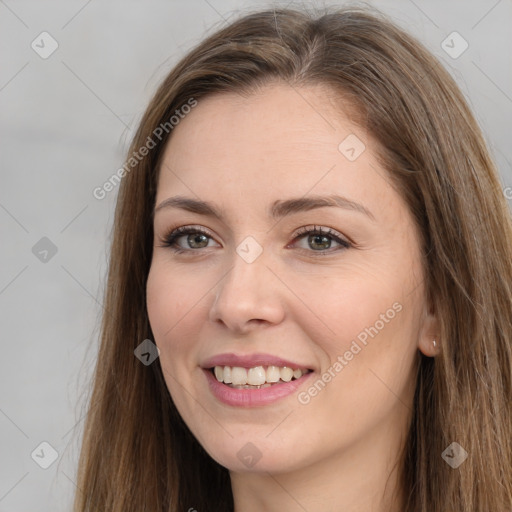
x,y
248,295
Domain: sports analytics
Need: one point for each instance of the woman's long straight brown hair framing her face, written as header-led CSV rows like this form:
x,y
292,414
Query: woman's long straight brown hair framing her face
x,y
138,455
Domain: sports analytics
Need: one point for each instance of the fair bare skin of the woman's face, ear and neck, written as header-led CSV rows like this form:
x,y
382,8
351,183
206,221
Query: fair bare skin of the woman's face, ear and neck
x,y
243,153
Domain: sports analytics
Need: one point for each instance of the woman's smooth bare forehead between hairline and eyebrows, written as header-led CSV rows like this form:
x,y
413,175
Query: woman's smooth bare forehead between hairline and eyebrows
x,y
275,143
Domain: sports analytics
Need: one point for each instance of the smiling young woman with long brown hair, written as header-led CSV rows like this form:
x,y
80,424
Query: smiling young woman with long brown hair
x,y
309,294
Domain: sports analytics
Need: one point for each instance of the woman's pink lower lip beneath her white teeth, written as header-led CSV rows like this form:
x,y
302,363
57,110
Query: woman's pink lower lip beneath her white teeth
x,y
252,397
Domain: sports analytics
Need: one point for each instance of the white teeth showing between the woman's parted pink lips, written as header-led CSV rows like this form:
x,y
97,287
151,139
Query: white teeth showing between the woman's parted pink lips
x,y
257,377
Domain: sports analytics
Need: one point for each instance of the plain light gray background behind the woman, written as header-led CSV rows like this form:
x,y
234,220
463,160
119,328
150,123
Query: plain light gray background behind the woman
x,y
66,122
